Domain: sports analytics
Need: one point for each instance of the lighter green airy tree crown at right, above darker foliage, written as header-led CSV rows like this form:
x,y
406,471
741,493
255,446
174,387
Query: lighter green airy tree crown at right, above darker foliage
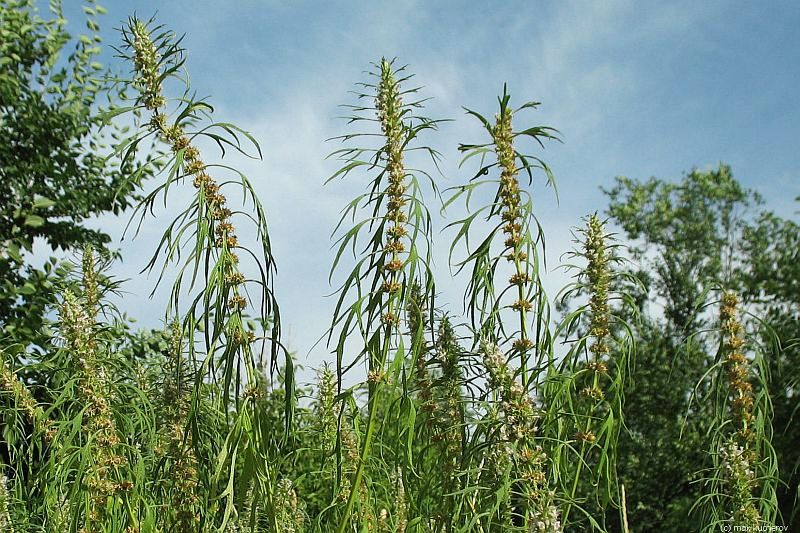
x,y
684,233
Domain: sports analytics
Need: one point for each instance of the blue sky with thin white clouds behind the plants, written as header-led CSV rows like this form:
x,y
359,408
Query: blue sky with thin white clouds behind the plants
x,y
636,88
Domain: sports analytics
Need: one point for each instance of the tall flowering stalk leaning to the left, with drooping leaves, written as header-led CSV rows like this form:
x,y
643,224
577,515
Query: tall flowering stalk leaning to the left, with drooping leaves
x,y
207,229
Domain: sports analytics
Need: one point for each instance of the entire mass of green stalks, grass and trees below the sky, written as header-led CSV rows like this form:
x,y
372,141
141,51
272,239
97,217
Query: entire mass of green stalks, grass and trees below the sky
x,y
600,412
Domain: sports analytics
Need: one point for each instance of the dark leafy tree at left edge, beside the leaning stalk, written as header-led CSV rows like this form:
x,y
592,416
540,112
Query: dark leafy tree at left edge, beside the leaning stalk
x,y
53,175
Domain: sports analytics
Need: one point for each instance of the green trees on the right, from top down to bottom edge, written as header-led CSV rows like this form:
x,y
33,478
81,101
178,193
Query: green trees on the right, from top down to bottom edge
x,y
689,237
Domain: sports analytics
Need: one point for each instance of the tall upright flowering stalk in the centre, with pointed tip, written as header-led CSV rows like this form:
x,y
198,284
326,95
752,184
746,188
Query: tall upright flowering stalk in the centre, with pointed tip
x,y
398,249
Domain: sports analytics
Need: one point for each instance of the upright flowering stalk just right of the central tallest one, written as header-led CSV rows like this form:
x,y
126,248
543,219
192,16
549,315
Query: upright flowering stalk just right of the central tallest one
x,y
520,460
